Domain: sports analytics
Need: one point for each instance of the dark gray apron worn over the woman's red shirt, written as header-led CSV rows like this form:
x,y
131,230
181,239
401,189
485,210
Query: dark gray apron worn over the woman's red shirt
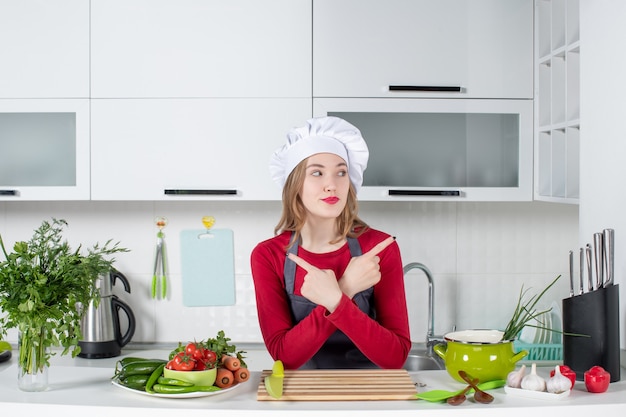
x,y
338,352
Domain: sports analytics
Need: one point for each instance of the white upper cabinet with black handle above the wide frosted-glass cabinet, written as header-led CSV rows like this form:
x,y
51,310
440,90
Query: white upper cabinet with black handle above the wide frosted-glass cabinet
x,y
423,48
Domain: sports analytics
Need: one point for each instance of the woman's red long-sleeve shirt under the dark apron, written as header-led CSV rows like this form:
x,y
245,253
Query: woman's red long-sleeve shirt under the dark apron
x,y
385,341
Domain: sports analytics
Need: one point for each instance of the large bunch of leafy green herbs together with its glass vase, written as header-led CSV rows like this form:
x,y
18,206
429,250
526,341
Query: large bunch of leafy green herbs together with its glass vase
x,y
41,283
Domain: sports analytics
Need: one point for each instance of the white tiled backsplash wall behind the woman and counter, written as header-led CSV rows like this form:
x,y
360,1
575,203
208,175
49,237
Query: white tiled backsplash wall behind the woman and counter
x,y
480,255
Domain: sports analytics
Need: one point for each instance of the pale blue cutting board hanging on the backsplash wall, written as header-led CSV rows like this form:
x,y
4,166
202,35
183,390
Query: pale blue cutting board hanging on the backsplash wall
x,y
208,267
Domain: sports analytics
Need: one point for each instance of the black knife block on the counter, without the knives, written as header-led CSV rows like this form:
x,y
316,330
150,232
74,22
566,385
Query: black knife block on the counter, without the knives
x,y
596,316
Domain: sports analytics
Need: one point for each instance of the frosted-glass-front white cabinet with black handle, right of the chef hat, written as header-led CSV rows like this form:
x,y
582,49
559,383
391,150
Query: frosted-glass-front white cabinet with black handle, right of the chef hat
x,y
442,150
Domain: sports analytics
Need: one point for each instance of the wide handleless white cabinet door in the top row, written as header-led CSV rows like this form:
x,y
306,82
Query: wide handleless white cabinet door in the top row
x,y
200,48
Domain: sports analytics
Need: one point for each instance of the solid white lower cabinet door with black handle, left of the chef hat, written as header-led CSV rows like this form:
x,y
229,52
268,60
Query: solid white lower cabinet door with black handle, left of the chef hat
x,y
189,149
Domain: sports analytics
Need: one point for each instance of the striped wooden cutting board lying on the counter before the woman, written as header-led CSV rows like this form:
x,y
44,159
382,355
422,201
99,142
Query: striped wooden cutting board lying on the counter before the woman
x,y
343,385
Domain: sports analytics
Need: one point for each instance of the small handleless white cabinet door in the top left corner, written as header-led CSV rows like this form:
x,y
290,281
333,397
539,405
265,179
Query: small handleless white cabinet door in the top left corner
x,y
45,49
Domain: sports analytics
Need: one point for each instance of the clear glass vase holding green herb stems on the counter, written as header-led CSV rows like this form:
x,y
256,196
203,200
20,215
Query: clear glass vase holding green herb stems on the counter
x,y
32,366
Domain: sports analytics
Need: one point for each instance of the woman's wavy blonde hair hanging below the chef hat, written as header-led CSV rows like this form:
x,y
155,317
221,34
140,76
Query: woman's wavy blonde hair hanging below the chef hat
x,y
294,213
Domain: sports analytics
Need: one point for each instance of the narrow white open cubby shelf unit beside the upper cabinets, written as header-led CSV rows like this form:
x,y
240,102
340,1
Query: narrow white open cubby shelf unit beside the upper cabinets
x,y
557,103
